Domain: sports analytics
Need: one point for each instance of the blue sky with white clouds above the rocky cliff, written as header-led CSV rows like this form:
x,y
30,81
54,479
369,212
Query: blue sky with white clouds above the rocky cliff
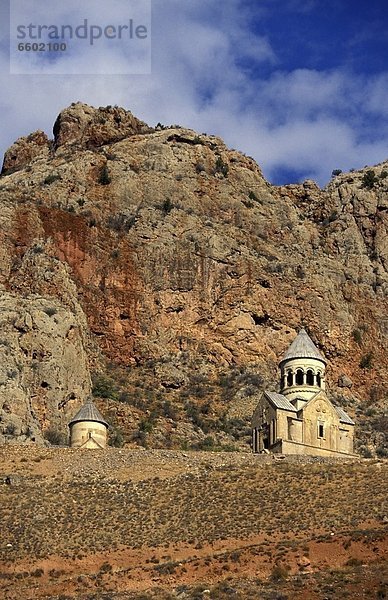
x,y
300,85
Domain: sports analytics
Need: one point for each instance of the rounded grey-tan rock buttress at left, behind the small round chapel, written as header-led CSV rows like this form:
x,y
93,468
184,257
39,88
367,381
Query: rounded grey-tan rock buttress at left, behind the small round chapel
x,y
43,367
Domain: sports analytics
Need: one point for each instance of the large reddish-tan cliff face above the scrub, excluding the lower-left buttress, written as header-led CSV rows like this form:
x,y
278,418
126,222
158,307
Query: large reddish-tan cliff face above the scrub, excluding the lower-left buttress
x,y
172,250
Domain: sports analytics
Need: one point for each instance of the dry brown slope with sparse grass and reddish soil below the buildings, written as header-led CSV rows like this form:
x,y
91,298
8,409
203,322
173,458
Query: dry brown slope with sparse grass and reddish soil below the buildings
x,y
163,524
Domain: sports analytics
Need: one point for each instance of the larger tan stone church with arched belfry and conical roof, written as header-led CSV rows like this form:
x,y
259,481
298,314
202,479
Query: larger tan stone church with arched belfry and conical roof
x,y
301,419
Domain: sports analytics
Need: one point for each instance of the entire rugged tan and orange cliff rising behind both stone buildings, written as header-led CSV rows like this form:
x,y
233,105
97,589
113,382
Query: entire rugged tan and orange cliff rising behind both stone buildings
x,y
163,264
